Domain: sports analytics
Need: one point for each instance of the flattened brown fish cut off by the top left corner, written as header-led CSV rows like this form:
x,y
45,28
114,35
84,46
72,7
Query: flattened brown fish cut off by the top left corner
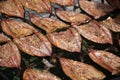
x,y
12,8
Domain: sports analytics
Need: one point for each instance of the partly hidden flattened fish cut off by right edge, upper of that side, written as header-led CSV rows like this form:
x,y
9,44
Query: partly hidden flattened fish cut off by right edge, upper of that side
x,y
111,24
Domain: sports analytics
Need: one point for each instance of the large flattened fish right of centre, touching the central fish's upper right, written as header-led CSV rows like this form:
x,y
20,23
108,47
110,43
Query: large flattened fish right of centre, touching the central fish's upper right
x,y
94,32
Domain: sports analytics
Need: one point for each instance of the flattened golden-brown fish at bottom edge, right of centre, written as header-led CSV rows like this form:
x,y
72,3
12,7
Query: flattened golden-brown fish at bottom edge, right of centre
x,y
80,71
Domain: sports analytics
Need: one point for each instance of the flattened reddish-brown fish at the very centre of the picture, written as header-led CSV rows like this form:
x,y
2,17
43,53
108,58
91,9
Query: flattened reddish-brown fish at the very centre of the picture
x,y
69,40
